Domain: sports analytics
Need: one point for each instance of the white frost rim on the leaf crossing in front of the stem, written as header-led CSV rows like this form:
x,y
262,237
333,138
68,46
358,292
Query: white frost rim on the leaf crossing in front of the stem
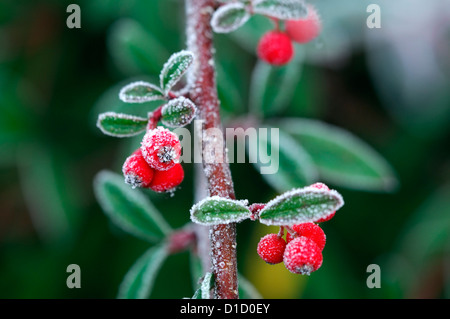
x,y
214,220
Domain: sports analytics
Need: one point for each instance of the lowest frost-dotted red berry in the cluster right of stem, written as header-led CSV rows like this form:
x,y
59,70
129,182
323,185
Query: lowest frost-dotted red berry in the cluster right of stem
x,y
302,256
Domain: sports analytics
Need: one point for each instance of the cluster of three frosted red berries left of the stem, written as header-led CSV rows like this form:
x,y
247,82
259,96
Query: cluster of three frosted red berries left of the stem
x,y
155,164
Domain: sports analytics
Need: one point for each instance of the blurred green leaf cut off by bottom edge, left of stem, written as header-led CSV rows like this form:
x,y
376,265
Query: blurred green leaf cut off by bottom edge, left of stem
x,y
138,282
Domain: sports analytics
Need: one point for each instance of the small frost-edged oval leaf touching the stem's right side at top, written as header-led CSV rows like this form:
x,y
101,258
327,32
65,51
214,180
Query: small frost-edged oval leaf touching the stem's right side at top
x,y
229,17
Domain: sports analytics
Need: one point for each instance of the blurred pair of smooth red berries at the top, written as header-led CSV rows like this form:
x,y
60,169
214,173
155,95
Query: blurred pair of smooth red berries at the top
x,y
276,48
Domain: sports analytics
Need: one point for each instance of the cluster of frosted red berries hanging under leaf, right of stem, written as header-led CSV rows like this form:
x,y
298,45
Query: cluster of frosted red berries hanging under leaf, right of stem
x,y
301,252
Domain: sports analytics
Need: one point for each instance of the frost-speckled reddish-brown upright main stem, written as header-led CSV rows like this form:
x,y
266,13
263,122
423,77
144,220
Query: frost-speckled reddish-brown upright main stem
x,y
203,93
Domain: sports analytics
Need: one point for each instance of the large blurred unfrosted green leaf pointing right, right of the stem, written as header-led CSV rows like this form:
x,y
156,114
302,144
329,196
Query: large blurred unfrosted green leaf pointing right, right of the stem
x,y
341,157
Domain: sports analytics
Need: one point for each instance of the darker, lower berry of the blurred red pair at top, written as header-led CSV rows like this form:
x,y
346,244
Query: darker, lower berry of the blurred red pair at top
x,y
275,48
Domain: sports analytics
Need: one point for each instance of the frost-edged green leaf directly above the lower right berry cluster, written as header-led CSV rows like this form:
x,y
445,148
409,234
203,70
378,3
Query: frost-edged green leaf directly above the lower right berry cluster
x,y
301,206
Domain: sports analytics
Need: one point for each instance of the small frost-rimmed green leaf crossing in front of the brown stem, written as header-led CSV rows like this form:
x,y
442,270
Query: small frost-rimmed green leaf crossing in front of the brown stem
x,y
217,210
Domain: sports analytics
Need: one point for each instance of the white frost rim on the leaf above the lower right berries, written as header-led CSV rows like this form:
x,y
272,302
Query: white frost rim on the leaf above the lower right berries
x,y
321,211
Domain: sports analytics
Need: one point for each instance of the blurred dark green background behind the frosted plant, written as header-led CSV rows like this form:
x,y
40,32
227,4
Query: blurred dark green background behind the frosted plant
x,y
389,86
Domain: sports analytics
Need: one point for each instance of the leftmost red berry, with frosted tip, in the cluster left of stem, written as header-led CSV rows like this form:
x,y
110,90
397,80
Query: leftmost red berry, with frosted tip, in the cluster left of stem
x,y
136,170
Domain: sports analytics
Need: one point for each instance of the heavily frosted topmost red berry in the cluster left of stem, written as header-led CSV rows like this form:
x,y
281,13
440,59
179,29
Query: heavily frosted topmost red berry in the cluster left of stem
x,y
161,148
